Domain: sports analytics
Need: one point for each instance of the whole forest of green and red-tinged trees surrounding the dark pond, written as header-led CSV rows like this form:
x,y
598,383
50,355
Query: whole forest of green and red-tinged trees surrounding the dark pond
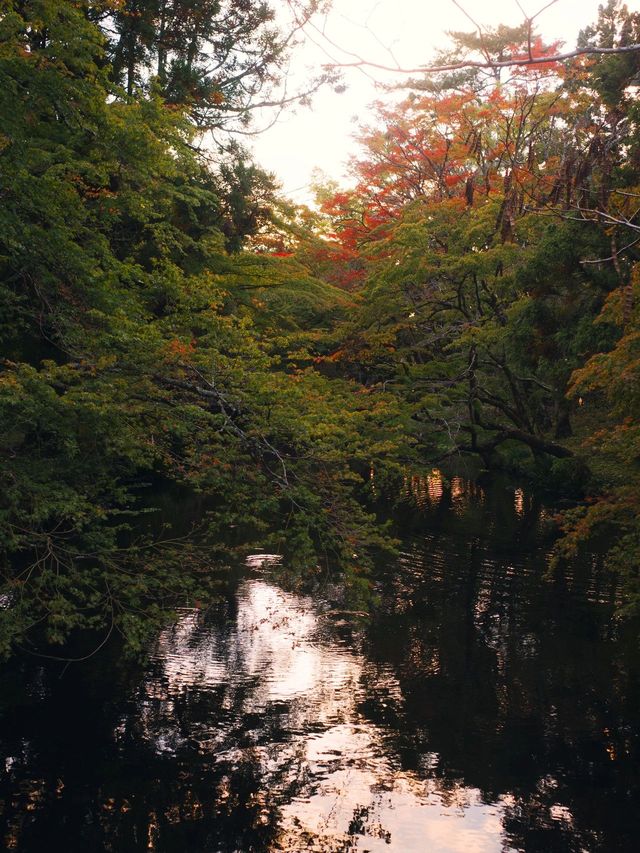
x,y
172,325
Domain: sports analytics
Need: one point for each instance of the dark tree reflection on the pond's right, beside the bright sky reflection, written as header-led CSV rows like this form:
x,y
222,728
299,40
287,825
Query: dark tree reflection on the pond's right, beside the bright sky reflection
x,y
513,684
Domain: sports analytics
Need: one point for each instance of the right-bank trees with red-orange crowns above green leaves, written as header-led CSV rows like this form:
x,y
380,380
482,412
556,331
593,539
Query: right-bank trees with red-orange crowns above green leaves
x,y
495,225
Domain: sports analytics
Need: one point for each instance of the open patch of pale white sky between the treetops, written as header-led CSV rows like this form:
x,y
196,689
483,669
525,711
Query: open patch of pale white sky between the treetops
x,y
320,137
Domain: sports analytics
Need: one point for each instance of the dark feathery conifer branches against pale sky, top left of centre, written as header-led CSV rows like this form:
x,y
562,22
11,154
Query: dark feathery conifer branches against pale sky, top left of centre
x,y
220,59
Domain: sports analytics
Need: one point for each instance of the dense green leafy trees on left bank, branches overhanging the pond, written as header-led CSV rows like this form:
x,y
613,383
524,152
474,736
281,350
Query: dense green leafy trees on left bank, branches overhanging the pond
x,y
142,344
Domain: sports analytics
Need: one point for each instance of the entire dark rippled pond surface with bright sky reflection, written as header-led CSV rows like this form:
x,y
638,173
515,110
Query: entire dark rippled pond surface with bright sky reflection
x,y
481,709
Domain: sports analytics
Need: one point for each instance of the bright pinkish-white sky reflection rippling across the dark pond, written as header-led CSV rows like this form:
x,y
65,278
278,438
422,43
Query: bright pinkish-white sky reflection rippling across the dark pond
x,y
280,657
